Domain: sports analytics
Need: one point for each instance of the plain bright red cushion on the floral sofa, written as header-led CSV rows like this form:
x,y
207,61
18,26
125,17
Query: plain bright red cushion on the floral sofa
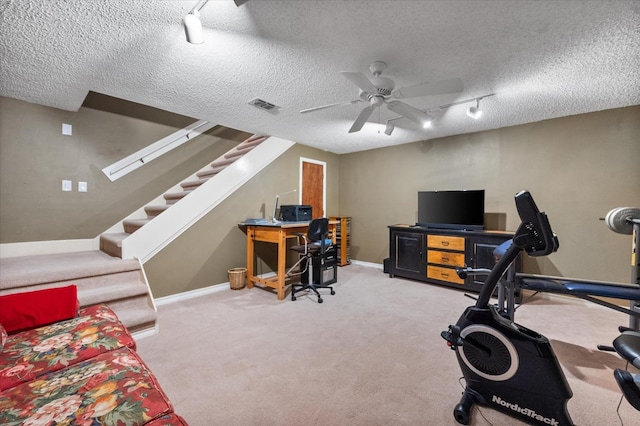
x,y
21,311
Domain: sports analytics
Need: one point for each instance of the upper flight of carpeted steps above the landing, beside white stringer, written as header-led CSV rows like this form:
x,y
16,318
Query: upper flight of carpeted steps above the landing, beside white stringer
x,y
111,243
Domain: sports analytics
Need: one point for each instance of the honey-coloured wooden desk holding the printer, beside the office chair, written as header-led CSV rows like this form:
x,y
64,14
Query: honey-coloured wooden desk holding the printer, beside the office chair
x,y
277,233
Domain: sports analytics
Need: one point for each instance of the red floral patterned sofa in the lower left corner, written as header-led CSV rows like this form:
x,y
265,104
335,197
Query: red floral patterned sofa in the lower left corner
x,y
81,371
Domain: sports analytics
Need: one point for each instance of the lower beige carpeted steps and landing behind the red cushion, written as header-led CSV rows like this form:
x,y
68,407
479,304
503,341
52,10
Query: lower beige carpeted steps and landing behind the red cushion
x,y
100,278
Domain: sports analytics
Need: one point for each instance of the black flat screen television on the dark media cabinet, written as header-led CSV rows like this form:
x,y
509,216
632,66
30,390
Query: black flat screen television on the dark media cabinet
x,y
463,210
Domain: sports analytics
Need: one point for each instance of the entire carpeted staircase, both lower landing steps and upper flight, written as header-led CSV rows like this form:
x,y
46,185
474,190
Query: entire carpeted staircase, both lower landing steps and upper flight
x,y
102,276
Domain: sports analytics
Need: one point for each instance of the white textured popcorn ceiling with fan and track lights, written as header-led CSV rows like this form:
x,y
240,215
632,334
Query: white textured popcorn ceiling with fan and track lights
x,y
542,59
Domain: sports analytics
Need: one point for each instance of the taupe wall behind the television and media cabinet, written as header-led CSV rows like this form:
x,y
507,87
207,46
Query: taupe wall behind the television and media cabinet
x,y
577,168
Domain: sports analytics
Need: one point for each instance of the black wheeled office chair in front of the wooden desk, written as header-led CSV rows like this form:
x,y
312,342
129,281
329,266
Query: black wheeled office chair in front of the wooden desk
x,y
317,255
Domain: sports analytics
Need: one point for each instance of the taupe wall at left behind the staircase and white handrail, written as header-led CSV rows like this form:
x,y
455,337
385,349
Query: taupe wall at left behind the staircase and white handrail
x,y
35,157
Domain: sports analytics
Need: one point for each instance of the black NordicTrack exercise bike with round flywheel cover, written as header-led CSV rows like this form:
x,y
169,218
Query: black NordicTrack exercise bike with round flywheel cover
x,y
506,366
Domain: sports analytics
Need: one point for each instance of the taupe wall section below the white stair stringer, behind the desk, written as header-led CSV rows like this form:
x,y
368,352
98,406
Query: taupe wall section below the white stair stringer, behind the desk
x,y
204,253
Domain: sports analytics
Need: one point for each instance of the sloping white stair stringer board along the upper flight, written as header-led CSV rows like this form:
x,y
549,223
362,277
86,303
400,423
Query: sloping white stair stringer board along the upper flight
x,y
166,227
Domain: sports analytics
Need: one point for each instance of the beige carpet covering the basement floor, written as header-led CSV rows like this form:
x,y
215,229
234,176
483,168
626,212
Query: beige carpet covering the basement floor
x,y
370,355
